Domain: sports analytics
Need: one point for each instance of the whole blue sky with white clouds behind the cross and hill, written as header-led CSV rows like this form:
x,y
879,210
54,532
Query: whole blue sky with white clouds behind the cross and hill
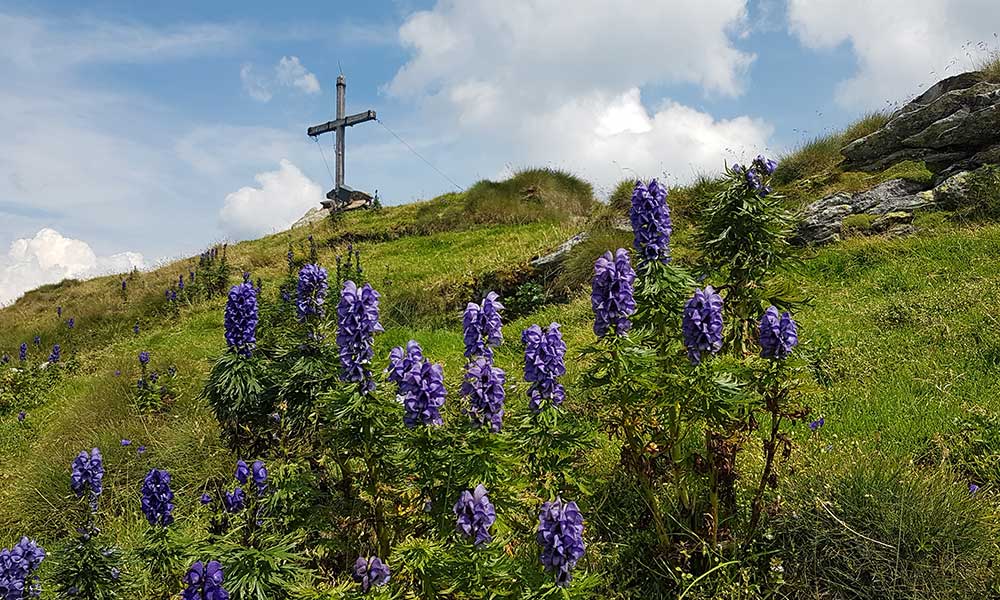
x,y
140,131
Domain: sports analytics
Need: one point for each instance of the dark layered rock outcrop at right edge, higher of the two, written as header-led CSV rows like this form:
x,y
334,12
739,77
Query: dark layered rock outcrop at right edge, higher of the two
x,y
953,126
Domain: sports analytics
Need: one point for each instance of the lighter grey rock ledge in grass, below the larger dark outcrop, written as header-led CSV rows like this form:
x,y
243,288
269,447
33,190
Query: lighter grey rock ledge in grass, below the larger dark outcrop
x,y
822,221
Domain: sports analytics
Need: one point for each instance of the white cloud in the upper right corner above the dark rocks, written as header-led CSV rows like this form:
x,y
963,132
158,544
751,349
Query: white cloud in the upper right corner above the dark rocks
x,y
902,46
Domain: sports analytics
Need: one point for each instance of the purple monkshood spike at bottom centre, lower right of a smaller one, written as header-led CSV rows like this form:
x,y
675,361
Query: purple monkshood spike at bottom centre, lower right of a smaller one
x,y
560,534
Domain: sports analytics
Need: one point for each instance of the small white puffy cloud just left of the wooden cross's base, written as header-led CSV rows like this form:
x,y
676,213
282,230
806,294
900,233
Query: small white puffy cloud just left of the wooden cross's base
x,y
281,197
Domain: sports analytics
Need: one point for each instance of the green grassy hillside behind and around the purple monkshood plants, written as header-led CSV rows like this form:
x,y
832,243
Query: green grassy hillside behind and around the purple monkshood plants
x,y
901,337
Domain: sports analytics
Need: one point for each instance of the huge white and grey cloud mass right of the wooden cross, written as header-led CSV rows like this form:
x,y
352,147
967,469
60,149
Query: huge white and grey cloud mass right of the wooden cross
x,y
552,83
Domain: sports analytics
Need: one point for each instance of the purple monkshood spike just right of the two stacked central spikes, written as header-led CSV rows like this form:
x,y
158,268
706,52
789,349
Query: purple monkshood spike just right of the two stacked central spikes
x,y
544,364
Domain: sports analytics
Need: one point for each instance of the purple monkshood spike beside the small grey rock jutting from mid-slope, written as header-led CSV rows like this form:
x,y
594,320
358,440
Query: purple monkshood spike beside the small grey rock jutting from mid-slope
x,y
611,293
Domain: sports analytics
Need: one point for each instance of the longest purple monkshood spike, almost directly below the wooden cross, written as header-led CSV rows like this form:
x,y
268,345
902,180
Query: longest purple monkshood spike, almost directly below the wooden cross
x,y
357,322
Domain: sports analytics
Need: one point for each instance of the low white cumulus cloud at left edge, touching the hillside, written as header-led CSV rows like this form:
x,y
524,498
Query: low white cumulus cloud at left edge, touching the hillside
x,y
50,257
